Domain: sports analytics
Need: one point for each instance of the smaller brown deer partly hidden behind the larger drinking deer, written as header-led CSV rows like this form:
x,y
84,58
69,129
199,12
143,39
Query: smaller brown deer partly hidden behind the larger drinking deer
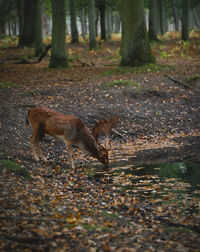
x,y
105,125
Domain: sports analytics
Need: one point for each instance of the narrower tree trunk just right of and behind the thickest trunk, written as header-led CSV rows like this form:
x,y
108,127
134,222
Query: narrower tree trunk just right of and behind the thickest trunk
x,y
154,20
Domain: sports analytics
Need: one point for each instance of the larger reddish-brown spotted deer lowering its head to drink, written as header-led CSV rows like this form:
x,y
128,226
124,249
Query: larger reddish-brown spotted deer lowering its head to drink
x,y
68,128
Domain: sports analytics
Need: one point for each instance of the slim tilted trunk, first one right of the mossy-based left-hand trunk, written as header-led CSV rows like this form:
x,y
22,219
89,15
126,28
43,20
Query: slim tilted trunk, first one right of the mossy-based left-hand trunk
x,y
74,31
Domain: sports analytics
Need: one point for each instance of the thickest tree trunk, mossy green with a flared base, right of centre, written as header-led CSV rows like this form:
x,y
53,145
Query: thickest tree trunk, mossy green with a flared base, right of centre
x,y
135,46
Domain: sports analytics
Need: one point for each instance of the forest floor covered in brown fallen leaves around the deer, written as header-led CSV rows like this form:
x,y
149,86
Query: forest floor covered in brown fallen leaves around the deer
x,y
51,207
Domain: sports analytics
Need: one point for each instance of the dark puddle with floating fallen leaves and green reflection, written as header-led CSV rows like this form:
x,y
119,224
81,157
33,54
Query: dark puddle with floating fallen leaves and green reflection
x,y
160,182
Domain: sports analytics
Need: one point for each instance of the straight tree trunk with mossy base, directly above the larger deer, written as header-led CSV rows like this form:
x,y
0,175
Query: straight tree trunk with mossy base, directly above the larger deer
x,y
58,52
